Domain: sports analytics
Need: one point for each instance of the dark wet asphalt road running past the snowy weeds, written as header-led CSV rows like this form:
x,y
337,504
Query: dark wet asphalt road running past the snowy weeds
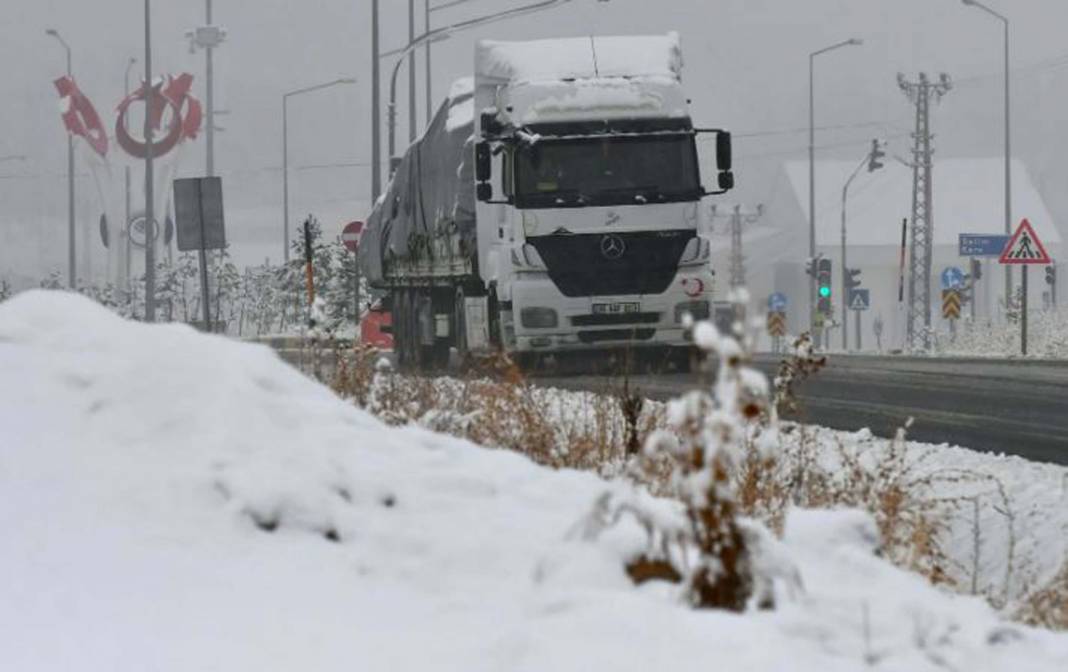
x,y
1011,407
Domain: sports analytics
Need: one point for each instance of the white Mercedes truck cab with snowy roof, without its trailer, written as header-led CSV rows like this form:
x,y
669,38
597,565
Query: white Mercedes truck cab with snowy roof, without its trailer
x,y
589,187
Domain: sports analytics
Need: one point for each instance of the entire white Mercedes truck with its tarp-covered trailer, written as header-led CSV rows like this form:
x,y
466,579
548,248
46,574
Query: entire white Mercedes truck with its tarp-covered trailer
x,y
551,207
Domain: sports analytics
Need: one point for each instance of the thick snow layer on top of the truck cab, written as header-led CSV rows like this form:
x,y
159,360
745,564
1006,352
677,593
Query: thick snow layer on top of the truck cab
x,y
580,58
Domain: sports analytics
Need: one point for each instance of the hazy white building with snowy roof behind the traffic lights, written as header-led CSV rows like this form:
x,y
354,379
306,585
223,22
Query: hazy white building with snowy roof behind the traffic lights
x,y
969,198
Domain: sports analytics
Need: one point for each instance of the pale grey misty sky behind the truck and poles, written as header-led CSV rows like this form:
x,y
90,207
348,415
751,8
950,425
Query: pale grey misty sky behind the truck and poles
x,y
746,69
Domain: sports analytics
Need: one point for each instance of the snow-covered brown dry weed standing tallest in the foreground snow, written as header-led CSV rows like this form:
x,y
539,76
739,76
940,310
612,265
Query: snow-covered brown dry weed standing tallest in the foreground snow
x,y
705,439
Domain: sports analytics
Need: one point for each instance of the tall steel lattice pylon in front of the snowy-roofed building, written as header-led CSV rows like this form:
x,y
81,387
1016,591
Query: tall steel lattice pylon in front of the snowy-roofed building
x,y
919,319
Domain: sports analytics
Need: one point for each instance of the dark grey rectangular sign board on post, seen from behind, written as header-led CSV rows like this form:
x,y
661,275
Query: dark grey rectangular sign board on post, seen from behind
x,y
198,210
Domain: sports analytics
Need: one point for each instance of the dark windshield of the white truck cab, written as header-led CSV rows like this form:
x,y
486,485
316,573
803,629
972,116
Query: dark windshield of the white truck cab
x,y
607,171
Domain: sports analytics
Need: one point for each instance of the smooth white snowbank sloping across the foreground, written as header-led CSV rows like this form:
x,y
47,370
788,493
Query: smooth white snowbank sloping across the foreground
x,y
178,502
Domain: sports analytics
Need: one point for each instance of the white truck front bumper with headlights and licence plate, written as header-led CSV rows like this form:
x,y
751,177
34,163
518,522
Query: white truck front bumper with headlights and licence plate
x,y
587,324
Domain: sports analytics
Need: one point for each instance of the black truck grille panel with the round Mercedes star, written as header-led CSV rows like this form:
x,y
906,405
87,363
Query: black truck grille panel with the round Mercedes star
x,y
578,267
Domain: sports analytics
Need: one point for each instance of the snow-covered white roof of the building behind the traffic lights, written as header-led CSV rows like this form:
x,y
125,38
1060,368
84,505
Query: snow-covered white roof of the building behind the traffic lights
x,y
969,198
